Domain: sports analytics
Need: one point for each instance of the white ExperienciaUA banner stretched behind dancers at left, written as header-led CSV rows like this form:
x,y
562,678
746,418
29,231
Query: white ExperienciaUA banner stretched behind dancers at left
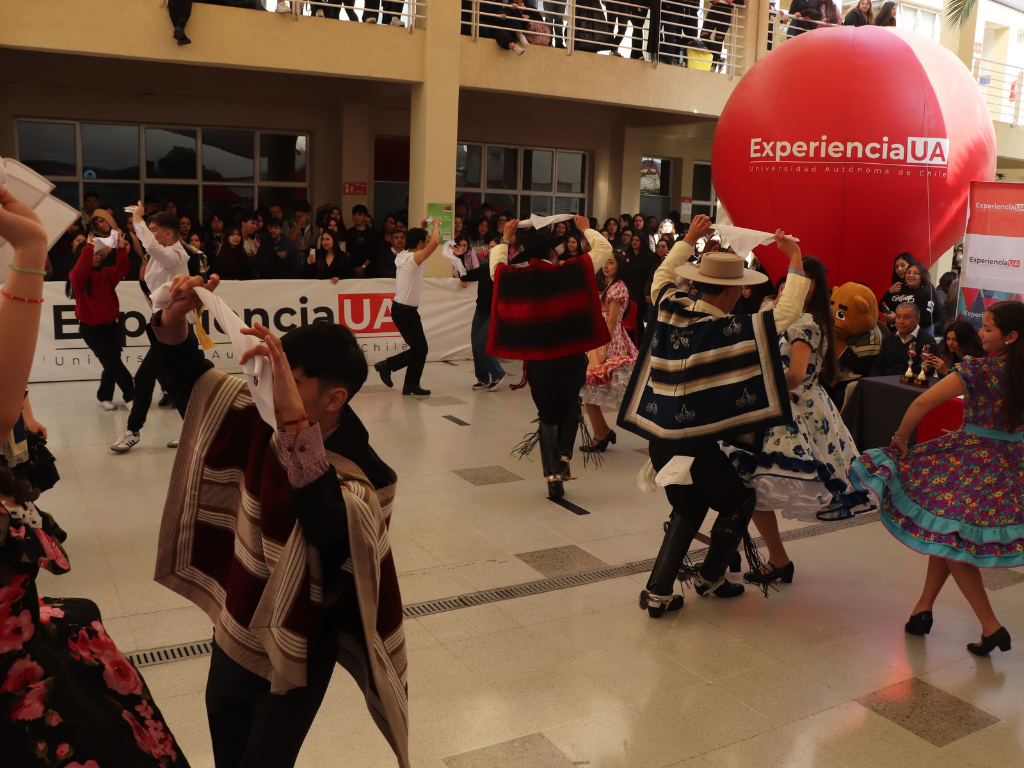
x,y
363,306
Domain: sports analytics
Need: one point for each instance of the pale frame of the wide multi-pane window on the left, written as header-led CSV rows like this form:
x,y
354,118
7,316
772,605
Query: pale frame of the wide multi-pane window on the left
x,y
144,180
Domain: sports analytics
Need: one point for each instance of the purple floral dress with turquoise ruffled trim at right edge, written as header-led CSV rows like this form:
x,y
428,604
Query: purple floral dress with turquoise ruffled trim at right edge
x,y
960,496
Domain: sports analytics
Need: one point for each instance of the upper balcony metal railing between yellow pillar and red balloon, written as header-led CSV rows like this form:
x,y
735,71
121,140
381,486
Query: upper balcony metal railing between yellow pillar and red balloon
x,y
699,34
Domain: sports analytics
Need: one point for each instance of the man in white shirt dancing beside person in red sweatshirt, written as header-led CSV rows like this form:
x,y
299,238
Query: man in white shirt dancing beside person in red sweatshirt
x,y
167,259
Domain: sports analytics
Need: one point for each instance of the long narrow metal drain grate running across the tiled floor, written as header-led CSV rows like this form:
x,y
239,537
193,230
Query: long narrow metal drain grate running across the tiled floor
x,y
205,649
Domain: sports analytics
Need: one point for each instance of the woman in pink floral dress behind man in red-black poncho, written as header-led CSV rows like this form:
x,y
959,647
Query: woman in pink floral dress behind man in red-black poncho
x,y
610,368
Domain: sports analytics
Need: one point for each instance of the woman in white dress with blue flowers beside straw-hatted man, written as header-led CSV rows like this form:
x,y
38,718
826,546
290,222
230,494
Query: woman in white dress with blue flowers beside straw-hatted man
x,y
803,467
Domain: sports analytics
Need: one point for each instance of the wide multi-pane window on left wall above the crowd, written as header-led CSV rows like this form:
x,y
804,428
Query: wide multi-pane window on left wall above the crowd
x,y
198,169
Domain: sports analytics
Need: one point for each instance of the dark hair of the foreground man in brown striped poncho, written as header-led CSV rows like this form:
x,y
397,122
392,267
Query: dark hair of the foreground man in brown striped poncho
x,y
328,353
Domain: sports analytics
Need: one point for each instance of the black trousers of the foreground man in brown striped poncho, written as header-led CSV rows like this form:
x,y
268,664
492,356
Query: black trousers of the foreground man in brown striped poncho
x,y
250,727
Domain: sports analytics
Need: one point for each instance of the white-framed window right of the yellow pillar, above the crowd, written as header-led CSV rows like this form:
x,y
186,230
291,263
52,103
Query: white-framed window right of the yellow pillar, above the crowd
x,y
522,181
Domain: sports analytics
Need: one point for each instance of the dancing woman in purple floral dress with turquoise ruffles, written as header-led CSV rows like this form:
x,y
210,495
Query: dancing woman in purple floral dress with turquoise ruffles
x,y
960,499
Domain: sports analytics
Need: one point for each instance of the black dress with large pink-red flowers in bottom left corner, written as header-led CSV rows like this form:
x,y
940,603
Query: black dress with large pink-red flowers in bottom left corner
x,y
69,699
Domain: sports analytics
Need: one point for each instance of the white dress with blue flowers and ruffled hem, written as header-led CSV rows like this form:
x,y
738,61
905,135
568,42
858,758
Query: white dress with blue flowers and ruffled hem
x,y
803,468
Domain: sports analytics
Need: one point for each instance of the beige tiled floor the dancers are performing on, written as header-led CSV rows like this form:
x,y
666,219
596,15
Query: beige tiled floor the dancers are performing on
x,y
820,675
